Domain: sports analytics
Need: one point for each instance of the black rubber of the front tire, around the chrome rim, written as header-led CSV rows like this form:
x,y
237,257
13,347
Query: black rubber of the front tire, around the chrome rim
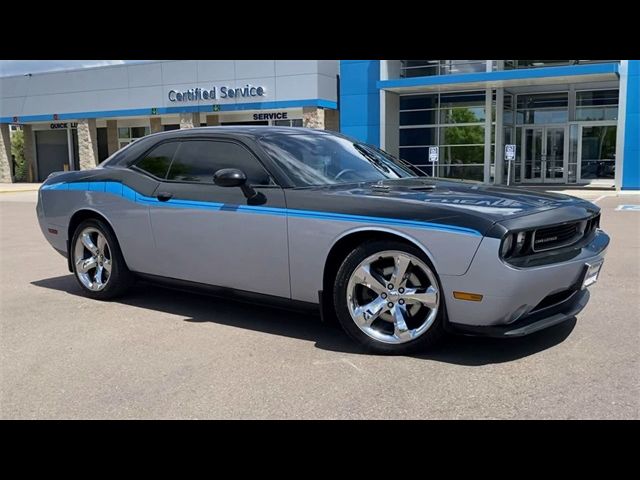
x,y
349,264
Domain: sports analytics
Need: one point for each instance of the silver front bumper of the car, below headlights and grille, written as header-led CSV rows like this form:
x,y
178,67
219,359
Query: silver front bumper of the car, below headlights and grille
x,y
519,301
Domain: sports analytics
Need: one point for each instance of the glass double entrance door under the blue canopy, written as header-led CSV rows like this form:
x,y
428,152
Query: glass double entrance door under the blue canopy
x,y
544,154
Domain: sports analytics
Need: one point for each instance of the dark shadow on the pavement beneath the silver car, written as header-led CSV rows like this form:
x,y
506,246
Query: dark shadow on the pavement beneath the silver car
x,y
197,308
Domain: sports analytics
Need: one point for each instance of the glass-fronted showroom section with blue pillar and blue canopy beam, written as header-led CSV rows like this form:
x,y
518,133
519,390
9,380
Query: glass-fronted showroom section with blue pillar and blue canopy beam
x,y
564,121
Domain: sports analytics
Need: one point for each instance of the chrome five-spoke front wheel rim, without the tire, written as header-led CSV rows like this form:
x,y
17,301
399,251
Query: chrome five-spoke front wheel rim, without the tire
x,y
393,297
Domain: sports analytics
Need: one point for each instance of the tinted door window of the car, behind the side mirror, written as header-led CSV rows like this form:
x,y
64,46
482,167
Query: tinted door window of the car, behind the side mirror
x,y
197,161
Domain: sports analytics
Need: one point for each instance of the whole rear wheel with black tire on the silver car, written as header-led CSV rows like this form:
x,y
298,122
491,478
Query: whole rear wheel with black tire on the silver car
x,y
112,283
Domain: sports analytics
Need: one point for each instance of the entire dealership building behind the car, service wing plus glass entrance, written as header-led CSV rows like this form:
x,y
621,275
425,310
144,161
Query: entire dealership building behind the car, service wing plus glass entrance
x,y
522,122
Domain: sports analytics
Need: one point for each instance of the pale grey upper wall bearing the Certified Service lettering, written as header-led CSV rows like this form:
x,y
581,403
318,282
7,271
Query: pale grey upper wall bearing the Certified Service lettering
x,y
124,87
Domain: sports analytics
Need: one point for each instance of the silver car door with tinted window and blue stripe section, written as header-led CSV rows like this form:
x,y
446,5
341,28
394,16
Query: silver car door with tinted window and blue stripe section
x,y
210,234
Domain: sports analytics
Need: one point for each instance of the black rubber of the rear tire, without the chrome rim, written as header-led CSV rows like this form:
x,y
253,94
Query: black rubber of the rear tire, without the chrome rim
x,y
120,276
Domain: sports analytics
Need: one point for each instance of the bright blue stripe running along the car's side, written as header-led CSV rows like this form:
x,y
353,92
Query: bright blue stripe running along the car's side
x,y
123,191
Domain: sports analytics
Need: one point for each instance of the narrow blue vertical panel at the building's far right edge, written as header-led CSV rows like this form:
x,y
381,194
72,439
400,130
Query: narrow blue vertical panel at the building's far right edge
x,y
631,166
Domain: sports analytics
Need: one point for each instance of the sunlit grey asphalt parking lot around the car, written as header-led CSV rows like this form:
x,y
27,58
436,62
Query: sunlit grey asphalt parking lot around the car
x,y
163,354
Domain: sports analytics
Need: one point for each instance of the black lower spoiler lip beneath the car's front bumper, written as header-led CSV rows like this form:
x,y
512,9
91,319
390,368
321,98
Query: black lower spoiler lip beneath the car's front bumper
x,y
531,323
